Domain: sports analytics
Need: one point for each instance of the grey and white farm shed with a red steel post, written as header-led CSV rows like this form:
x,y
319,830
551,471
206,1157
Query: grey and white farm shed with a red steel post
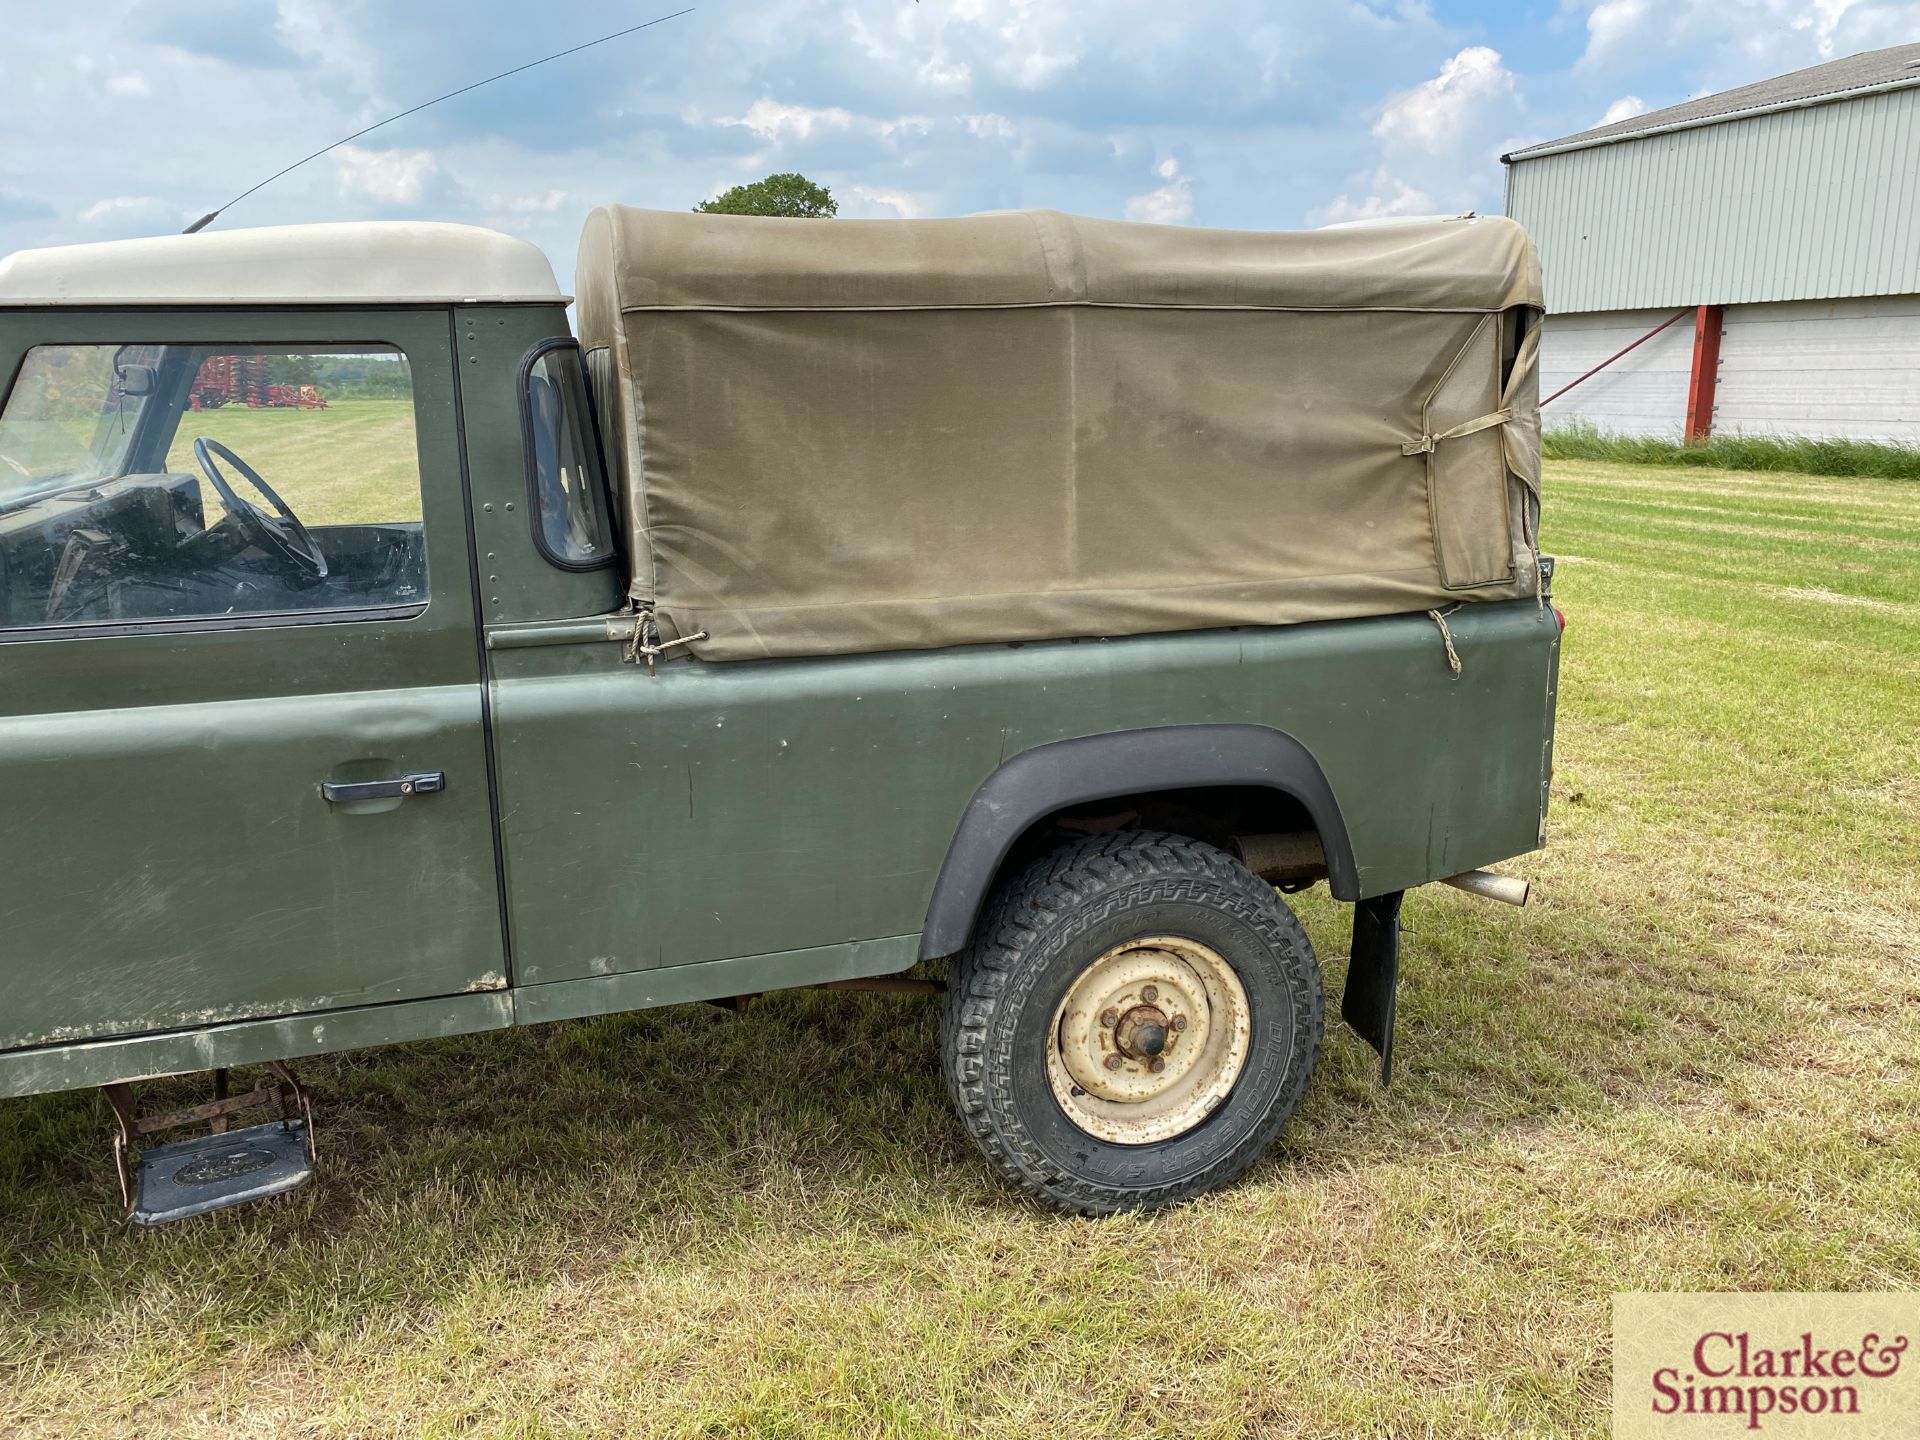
x,y
1775,226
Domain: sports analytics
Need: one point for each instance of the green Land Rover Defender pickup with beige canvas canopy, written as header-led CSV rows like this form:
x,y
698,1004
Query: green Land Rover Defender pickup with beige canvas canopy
x,y
1009,606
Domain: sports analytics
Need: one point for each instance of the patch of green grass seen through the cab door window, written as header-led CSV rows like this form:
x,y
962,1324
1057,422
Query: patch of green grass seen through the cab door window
x,y
352,464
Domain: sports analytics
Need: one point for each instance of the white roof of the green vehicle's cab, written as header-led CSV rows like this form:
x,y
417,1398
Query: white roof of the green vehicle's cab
x,y
372,262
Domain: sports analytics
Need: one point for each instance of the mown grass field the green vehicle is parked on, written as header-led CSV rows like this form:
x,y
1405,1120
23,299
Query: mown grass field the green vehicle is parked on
x,y
1691,1065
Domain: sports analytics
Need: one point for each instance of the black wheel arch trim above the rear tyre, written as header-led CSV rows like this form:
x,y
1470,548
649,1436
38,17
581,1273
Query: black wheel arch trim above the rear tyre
x,y
1065,773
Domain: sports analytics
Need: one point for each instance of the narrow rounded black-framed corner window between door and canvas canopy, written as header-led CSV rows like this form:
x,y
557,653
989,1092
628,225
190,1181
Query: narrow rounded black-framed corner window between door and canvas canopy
x,y
564,462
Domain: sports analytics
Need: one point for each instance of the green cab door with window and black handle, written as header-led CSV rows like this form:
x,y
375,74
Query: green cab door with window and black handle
x,y
241,719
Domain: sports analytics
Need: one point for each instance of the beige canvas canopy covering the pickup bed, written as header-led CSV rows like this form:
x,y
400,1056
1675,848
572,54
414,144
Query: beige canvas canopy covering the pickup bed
x,y
848,437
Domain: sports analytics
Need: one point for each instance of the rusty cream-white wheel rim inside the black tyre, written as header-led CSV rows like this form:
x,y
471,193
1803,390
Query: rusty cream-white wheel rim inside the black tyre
x,y
1149,1040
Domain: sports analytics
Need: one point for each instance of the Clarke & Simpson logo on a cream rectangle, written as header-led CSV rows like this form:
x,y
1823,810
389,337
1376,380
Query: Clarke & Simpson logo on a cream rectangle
x,y
1777,1364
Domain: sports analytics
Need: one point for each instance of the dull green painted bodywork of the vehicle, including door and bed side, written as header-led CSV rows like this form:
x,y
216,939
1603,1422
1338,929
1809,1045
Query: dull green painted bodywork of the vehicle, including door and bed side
x,y
176,894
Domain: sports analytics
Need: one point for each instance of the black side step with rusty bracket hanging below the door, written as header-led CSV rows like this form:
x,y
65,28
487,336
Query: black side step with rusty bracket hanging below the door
x,y
218,1170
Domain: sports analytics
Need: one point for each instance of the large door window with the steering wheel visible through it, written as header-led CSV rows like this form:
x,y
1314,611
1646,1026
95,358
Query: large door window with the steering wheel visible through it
x,y
195,483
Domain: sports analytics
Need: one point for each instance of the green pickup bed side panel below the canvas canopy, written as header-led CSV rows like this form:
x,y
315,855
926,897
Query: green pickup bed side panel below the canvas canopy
x,y
721,811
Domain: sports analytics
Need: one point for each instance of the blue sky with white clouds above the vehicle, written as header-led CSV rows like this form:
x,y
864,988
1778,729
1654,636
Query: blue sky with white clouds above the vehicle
x,y
132,116
